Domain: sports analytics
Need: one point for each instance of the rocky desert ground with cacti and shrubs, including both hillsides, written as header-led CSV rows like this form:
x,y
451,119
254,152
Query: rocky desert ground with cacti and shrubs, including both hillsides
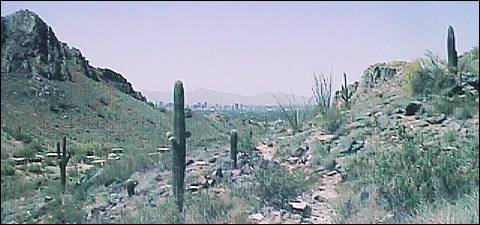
x,y
79,145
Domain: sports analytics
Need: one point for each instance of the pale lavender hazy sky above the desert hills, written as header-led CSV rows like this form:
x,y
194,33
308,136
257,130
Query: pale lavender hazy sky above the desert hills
x,y
252,47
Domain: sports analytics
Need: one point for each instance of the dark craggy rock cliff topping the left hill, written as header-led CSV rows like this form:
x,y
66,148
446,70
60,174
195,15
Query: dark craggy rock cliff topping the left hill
x,y
30,49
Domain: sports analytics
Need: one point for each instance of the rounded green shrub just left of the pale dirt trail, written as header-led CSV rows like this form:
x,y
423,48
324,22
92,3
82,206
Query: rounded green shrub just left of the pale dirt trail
x,y
275,185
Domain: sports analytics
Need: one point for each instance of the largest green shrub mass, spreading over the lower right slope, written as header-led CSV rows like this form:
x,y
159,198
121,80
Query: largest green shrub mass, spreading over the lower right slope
x,y
407,176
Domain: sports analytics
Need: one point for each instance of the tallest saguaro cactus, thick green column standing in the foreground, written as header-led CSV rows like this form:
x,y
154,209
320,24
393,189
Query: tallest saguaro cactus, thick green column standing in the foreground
x,y
178,141
